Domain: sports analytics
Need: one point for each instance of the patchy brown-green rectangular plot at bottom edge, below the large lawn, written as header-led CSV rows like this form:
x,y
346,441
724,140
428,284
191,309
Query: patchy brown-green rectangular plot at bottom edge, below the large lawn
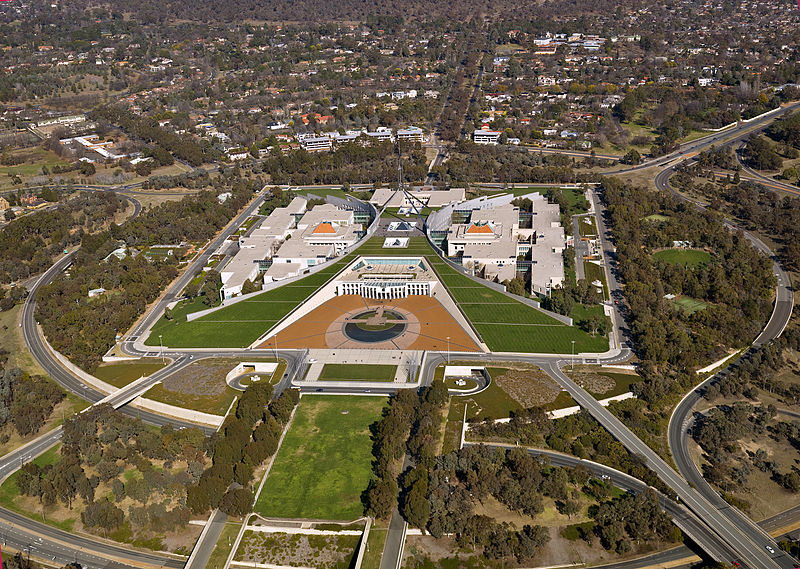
x,y
319,551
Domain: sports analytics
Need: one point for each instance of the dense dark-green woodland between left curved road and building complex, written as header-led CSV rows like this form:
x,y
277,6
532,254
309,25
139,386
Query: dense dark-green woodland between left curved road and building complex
x,y
84,329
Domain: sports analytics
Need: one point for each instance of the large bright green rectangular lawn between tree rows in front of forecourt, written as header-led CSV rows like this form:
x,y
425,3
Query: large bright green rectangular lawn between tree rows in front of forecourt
x,y
325,461
